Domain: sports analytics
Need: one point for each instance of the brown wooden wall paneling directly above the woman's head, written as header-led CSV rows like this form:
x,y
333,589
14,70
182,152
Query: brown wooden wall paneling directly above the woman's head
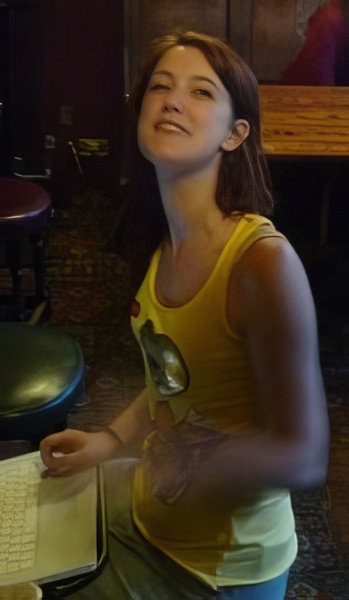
x,y
266,33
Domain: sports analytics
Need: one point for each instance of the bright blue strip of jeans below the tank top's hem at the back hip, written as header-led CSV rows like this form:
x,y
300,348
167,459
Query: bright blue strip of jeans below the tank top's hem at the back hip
x,y
275,589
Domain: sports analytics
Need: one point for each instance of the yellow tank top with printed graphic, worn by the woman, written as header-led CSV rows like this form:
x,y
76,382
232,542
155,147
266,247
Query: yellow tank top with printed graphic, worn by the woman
x,y
196,363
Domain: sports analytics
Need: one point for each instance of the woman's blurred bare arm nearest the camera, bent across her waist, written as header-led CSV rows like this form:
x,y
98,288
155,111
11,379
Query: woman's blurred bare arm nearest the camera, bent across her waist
x,y
270,304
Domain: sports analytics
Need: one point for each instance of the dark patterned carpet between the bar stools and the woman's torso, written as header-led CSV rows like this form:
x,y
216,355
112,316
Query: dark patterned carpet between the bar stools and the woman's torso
x,y
90,297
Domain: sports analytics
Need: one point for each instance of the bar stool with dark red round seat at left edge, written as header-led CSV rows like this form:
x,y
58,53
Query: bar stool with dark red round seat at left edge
x,y
25,209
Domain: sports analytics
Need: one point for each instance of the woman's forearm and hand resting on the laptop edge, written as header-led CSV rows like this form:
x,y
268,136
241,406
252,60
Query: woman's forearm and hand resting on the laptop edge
x,y
69,451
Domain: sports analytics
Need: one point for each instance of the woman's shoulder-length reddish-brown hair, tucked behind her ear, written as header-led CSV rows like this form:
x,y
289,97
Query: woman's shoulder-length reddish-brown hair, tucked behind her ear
x,y
243,181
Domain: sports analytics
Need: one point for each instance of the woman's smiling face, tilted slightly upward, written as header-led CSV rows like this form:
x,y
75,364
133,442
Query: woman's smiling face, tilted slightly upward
x,y
186,115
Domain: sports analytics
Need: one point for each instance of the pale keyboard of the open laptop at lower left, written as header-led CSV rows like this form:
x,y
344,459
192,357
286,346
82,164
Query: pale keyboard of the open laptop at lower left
x,y
19,495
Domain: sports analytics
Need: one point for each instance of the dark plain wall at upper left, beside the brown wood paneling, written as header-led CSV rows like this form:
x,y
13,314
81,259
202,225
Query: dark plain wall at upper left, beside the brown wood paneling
x,y
61,74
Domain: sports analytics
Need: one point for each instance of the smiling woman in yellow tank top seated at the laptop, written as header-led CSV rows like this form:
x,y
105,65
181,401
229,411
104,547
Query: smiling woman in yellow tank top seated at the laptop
x,y
233,415
